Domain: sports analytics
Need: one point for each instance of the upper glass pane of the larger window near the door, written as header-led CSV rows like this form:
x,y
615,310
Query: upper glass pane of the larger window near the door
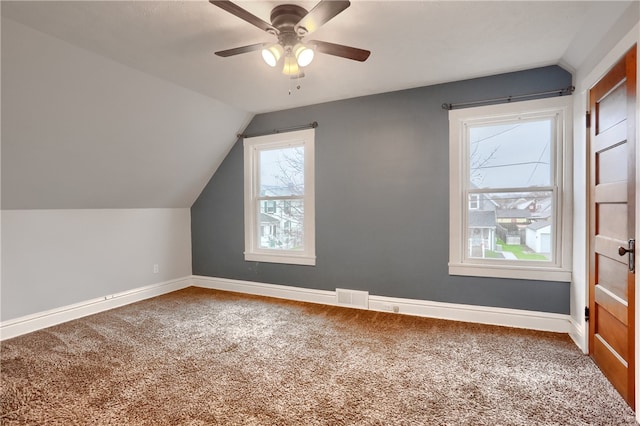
x,y
511,155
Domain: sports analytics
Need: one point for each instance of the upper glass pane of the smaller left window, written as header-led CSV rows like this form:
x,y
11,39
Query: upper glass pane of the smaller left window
x,y
282,172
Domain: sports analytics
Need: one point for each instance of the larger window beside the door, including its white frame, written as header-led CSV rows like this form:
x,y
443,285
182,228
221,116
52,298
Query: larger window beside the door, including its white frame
x,y
510,190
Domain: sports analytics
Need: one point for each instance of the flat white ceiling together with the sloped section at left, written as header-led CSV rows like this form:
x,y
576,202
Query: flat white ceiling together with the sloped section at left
x,y
123,104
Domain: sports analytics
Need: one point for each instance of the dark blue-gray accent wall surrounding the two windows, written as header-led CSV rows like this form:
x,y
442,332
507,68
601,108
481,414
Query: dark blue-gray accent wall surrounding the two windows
x,y
382,200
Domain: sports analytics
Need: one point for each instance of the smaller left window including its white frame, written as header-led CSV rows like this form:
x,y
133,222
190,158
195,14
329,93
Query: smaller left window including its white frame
x,y
279,198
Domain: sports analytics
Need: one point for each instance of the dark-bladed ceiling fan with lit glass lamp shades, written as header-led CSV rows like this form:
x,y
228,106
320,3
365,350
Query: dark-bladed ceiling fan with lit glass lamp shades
x,y
290,23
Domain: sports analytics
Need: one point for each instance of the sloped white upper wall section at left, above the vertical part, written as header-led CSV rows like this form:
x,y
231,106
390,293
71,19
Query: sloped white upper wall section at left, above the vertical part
x,y
83,131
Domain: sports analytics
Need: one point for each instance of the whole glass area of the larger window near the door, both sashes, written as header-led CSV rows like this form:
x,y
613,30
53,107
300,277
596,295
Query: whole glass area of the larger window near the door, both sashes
x,y
512,160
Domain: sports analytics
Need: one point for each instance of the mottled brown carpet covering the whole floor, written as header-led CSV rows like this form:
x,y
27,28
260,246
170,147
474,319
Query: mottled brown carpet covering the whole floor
x,y
205,357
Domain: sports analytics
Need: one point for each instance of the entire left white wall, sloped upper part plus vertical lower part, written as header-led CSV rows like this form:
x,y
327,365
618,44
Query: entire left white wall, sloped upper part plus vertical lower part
x,y
100,165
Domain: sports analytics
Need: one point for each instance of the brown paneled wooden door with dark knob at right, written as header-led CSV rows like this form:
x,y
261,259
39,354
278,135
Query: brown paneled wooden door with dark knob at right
x,y
612,144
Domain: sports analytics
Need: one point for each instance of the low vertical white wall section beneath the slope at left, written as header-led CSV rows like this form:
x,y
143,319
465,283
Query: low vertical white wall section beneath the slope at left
x,y
55,258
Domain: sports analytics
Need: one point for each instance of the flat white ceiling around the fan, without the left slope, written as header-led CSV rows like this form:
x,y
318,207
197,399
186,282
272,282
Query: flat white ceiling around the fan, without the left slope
x,y
413,43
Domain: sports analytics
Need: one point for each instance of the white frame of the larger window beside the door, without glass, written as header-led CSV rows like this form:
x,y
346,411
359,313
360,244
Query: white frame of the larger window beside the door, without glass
x,y
559,268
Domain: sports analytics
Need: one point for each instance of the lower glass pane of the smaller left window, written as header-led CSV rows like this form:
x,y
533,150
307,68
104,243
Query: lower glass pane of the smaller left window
x,y
282,228
